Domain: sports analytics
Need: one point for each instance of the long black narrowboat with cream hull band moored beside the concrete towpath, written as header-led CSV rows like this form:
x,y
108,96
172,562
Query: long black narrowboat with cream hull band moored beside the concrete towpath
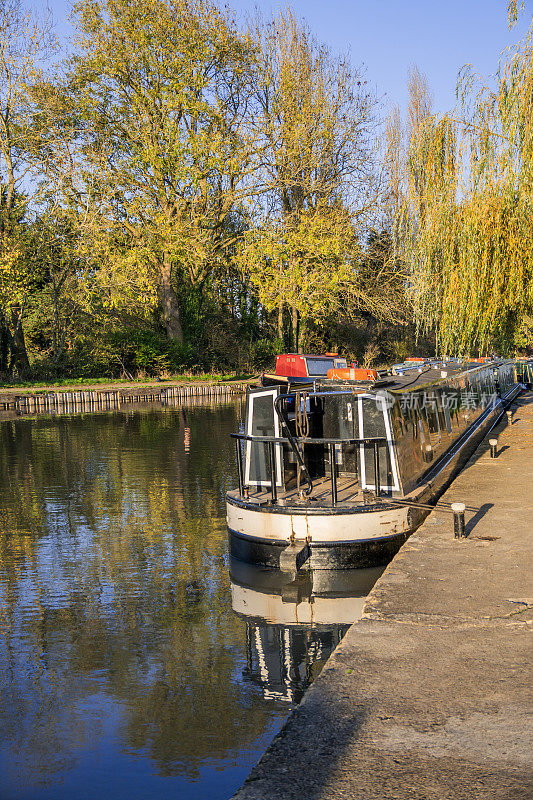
x,y
338,468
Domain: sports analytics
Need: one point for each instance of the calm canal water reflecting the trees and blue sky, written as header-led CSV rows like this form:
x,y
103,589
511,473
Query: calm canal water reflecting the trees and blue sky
x,y
135,660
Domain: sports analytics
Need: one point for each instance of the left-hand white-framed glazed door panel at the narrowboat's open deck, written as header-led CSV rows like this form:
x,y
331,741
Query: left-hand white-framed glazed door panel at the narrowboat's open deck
x,y
261,420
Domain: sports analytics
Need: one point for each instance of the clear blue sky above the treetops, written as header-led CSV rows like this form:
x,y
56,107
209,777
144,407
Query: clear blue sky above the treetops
x,y
388,36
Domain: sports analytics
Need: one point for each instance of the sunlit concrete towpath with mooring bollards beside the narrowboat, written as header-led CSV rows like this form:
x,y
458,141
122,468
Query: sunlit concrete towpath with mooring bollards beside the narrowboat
x,y
428,695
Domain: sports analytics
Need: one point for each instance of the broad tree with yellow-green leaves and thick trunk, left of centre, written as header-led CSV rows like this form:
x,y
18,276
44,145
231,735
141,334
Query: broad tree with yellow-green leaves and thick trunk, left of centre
x,y
145,132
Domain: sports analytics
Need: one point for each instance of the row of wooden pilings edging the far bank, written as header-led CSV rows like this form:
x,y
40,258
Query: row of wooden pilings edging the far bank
x,y
102,400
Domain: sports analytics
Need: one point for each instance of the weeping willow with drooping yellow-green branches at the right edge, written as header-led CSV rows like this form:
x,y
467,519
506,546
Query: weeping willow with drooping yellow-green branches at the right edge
x,y
465,221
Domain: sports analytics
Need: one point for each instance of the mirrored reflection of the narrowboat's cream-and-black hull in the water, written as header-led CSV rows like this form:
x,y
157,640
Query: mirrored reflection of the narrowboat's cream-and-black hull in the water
x,y
293,625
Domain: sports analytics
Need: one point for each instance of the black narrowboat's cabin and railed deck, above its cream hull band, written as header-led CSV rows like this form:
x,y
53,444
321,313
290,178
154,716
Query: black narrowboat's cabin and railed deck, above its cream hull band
x,y
381,437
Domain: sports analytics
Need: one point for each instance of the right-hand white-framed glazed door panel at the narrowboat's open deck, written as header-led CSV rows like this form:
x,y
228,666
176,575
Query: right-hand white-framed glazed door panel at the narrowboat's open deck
x,y
374,421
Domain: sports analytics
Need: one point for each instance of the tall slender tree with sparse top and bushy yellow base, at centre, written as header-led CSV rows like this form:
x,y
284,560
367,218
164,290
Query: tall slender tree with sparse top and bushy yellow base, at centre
x,y
314,175
